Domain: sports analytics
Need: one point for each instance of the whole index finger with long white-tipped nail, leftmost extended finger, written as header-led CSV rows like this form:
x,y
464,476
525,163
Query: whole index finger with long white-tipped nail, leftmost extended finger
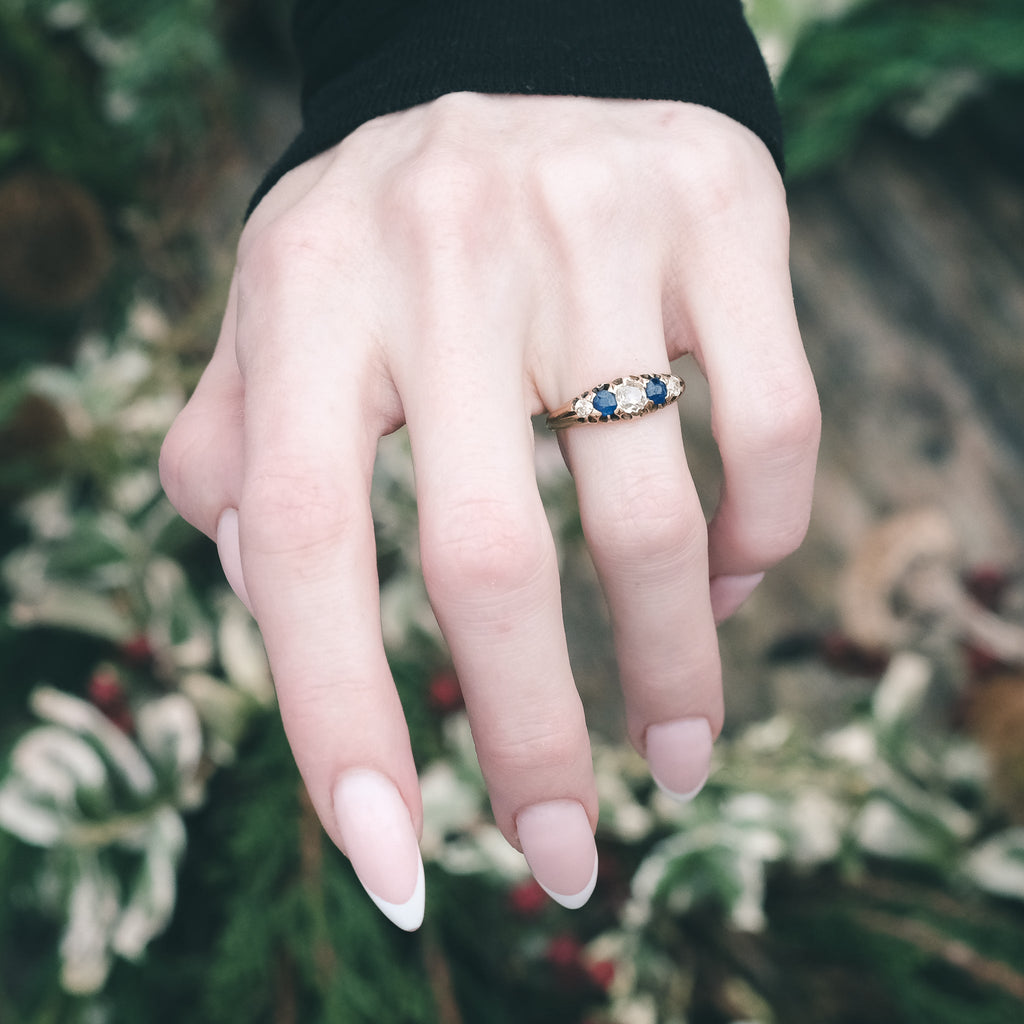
x,y
313,417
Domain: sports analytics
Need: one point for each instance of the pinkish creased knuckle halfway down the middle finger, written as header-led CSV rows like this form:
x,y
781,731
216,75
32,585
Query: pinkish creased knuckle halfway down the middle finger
x,y
482,547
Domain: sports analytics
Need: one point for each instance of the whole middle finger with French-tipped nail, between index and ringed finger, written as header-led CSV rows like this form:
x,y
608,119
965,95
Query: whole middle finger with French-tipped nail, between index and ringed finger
x,y
491,569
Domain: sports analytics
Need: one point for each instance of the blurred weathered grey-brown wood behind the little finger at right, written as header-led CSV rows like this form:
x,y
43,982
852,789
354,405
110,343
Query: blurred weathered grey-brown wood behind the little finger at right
x,y
909,274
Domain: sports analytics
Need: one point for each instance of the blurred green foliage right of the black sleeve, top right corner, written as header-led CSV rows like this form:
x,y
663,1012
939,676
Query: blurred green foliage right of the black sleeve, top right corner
x,y
914,59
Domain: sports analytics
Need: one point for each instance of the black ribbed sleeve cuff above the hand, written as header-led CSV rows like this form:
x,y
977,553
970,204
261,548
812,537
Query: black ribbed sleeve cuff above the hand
x,y
363,59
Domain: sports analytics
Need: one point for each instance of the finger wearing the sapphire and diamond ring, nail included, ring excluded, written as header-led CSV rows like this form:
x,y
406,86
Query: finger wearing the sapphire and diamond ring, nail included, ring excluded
x,y
648,536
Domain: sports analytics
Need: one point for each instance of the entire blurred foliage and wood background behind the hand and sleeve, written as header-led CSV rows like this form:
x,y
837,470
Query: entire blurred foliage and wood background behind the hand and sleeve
x,y
859,854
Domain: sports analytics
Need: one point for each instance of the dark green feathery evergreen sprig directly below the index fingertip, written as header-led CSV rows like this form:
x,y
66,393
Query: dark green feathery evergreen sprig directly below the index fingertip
x,y
295,925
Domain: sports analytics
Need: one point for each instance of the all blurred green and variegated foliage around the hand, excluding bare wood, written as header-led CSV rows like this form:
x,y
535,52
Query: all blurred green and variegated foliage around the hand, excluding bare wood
x,y
159,857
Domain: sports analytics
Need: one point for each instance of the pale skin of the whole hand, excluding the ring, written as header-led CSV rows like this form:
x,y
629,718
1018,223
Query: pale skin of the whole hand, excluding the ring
x,y
460,268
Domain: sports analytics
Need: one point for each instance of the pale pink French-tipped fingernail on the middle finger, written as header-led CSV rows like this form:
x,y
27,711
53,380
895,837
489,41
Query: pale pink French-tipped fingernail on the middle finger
x,y
559,844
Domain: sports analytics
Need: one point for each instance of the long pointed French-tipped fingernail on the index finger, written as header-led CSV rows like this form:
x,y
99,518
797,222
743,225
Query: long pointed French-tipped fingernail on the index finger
x,y
378,838
